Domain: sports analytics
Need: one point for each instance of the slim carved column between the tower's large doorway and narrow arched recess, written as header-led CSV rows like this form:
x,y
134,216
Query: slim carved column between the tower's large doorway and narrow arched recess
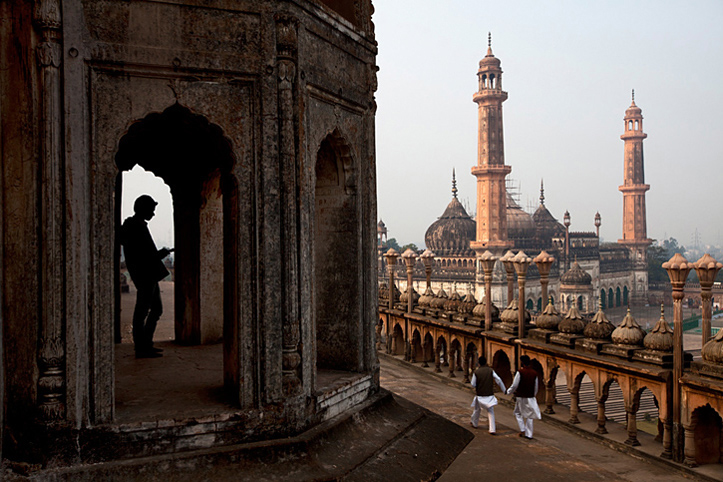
x,y
286,46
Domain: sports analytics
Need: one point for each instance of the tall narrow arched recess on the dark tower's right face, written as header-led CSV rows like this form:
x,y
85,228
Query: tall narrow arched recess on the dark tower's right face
x,y
337,304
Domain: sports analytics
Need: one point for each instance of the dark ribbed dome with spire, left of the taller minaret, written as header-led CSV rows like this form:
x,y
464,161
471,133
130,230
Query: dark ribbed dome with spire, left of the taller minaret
x,y
452,232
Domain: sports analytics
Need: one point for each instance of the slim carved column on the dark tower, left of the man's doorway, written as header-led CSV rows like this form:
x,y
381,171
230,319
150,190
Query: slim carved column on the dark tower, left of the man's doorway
x,y
51,359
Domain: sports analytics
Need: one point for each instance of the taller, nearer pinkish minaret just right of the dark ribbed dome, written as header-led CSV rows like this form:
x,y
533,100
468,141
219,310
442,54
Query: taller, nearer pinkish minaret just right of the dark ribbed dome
x,y
490,169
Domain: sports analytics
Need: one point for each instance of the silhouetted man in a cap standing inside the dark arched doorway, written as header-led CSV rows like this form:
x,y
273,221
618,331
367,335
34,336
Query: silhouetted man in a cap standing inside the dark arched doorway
x,y
145,265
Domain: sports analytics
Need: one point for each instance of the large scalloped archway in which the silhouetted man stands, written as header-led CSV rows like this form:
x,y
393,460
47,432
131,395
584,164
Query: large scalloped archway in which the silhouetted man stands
x,y
194,159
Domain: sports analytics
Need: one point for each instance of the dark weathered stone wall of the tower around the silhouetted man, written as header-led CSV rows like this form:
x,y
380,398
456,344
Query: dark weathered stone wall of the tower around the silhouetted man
x,y
266,80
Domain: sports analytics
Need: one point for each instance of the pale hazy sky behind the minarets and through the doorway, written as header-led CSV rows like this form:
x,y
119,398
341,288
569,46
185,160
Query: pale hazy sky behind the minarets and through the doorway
x,y
569,67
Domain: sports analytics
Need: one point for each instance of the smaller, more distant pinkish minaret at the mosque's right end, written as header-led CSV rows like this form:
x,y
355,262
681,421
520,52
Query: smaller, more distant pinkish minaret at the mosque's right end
x,y
635,229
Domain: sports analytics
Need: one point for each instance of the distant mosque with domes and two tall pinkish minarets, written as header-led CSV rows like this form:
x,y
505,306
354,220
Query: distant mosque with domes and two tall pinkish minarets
x,y
588,272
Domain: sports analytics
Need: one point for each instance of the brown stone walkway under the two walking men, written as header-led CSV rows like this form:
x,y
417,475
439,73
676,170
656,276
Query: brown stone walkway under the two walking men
x,y
554,454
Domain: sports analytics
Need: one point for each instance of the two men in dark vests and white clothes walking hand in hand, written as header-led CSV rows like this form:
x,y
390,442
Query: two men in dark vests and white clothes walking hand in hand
x,y
524,386
